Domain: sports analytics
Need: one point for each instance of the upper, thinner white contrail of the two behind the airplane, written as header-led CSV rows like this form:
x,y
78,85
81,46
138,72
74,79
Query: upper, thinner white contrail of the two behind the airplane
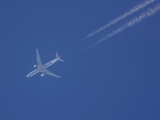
x,y
134,9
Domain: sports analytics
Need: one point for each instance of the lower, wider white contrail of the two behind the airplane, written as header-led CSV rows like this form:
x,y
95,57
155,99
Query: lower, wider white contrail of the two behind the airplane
x,y
135,20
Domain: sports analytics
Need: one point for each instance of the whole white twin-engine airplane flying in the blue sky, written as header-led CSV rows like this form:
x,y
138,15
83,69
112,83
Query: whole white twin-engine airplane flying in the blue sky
x,y
43,68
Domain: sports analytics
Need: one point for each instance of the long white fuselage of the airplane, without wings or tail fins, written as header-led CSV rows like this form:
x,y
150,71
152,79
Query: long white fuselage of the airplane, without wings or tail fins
x,y
40,69
